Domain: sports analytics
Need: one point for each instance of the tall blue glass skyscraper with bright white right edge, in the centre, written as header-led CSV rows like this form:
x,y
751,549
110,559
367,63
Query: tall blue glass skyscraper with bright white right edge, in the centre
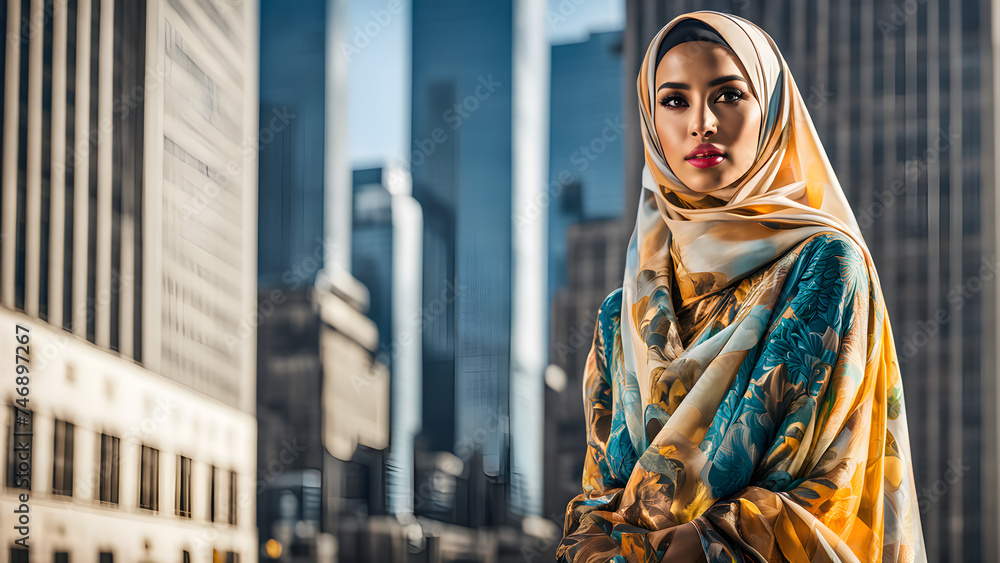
x,y
478,164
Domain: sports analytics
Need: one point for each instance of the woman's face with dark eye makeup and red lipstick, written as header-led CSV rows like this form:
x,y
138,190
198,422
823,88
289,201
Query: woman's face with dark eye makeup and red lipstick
x,y
707,119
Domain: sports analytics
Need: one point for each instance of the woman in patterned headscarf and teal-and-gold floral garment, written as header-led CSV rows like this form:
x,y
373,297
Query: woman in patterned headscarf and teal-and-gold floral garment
x,y
743,396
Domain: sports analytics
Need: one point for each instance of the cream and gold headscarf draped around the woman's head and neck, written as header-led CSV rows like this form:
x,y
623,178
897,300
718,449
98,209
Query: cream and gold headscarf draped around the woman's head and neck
x,y
790,193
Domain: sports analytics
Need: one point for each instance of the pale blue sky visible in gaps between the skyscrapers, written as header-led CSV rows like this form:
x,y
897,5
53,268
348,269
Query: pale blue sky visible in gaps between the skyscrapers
x,y
378,50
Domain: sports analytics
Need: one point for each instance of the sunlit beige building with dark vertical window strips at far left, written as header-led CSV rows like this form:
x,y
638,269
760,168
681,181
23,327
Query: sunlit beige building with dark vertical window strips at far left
x,y
127,254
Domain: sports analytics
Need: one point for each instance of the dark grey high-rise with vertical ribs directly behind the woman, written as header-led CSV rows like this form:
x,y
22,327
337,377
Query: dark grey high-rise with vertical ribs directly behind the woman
x,y
903,96
